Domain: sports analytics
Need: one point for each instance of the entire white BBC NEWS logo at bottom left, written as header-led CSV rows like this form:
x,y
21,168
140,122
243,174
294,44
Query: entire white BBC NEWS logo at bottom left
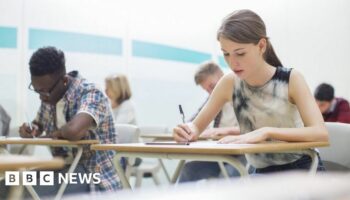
x,y
13,178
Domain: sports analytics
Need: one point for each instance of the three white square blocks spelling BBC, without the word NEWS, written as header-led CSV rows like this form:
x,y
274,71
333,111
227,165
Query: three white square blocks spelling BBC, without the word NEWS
x,y
28,178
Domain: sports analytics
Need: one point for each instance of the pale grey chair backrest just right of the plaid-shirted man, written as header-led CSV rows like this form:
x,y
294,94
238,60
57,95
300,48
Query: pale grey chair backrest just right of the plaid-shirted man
x,y
127,133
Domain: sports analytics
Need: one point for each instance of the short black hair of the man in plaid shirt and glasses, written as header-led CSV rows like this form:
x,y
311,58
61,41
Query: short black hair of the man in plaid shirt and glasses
x,y
47,60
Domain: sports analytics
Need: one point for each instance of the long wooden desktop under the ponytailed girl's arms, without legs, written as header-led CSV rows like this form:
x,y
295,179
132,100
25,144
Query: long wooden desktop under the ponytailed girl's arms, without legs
x,y
211,147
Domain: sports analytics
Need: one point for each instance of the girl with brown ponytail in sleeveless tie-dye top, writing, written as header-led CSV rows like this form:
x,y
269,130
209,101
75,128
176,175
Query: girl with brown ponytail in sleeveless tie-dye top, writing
x,y
271,102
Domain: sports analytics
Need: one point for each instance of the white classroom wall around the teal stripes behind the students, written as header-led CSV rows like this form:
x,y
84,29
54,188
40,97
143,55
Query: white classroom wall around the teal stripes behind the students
x,y
310,35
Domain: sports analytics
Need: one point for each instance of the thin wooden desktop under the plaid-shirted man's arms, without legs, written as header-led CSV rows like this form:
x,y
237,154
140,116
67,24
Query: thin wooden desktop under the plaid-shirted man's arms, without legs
x,y
43,141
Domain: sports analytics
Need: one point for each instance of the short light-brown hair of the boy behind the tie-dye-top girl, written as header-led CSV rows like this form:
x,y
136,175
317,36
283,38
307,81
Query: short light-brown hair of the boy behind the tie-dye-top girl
x,y
206,69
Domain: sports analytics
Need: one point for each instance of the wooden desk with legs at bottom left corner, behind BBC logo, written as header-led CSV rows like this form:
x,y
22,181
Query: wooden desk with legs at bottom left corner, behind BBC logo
x,y
20,163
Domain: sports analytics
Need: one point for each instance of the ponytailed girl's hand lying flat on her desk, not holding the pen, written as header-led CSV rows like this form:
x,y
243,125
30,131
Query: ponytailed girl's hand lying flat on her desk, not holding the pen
x,y
256,136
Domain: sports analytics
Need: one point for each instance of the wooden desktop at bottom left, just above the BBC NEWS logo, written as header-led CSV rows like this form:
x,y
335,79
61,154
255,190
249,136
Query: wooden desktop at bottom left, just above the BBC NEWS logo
x,y
15,162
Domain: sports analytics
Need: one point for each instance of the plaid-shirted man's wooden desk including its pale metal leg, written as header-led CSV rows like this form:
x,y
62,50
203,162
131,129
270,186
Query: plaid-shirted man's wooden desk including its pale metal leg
x,y
53,142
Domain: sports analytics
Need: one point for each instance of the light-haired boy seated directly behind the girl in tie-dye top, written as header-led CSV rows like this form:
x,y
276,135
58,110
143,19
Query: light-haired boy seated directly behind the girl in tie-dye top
x,y
225,123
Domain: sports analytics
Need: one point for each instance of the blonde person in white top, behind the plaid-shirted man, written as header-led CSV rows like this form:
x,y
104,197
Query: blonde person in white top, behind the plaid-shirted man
x,y
119,92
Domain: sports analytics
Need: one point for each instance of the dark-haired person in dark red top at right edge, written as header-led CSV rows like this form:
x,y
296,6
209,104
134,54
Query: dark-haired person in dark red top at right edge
x,y
333,109
